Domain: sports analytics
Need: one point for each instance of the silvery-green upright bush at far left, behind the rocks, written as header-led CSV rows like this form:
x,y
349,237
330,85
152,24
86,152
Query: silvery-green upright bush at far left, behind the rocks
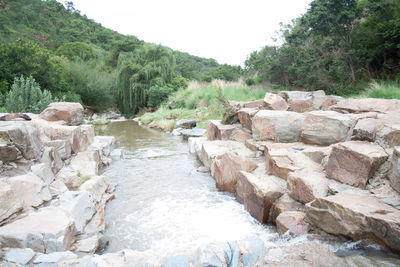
x,y
26,96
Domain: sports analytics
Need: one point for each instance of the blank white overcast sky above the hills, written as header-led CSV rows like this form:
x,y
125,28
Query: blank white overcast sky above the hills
x,y
226,30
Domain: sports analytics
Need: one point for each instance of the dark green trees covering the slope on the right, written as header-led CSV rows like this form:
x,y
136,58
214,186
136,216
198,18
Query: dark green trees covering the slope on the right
x,y
337,46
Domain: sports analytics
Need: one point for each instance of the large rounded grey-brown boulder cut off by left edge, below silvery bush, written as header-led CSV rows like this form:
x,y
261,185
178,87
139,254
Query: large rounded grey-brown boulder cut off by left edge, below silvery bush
x,y
21,136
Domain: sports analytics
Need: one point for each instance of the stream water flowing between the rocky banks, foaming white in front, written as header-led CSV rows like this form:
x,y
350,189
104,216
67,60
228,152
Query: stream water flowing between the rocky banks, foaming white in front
x,y
163,205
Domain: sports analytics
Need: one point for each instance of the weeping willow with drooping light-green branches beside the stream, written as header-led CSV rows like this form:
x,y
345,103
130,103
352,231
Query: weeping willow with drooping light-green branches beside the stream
x,y
140,70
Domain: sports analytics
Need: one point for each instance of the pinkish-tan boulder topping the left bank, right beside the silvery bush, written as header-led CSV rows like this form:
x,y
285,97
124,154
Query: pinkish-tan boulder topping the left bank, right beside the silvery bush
x,y
71,113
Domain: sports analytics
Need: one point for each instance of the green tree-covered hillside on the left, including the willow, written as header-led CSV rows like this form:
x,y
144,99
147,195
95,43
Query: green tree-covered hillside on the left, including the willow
x,y
73,58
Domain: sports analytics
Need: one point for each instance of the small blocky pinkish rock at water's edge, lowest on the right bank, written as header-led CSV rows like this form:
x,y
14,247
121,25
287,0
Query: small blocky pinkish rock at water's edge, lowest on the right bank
x,y
292,221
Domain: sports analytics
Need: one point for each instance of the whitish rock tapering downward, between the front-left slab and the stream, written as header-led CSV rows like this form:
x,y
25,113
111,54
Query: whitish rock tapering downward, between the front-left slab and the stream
x,y
79,206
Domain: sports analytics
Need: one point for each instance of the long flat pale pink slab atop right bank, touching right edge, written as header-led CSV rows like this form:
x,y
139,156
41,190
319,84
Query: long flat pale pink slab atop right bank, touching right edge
x,y
363,105
